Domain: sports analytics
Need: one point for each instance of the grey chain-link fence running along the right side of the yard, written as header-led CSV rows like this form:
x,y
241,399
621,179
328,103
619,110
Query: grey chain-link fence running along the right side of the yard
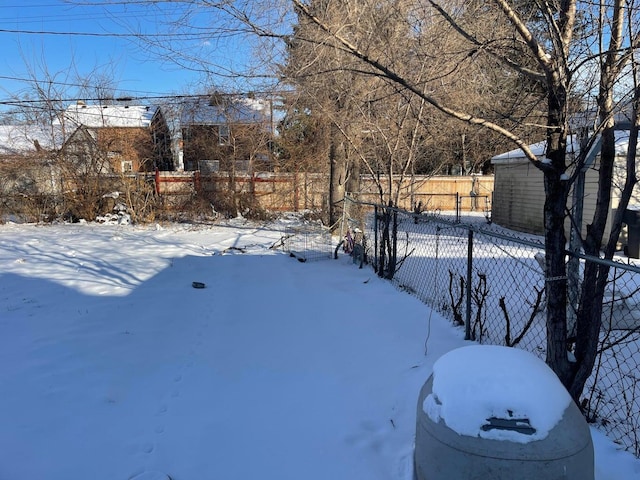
x,y
491,283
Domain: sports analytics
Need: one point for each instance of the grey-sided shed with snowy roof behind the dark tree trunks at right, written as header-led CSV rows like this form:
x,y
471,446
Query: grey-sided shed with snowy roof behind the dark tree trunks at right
x,y
518,197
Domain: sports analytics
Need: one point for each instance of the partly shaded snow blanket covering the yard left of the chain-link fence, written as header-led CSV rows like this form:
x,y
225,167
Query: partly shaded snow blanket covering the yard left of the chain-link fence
x,y
113,366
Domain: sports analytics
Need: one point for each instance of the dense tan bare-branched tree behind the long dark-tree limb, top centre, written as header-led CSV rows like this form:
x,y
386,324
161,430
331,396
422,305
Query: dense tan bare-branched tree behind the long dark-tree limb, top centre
x,y
391,133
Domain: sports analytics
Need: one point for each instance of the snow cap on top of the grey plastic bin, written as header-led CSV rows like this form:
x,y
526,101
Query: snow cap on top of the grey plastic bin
x,y
475,383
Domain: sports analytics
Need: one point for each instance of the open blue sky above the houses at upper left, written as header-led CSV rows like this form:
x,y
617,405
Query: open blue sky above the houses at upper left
x,y
94,41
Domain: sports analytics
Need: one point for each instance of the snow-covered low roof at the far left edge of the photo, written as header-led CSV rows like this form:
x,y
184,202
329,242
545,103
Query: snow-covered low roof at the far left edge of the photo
x,y
21,139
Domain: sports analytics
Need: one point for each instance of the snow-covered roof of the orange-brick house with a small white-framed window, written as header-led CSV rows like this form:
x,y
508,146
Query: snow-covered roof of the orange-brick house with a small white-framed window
x,y
98,116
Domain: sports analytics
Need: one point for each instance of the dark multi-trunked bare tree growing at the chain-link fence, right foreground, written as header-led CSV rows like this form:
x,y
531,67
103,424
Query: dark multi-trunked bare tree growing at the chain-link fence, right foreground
x,y
558,55
